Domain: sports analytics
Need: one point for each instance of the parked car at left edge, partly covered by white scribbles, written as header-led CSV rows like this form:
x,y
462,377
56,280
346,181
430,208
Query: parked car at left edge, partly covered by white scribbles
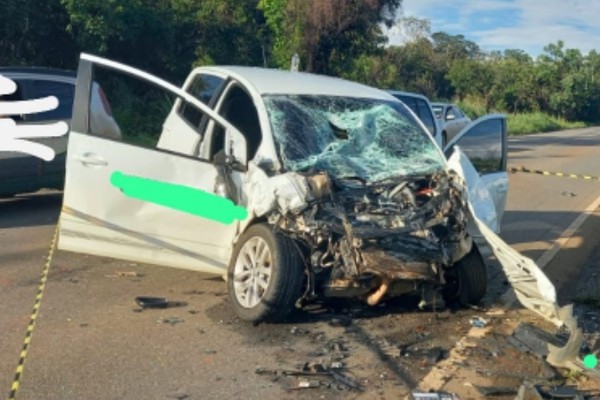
x,y
23,173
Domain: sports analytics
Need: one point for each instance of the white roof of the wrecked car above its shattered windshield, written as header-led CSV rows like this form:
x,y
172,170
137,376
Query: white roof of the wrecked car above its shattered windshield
x,y
276,81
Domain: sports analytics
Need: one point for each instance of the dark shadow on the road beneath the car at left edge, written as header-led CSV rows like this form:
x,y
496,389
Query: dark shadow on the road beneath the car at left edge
x,y
36,209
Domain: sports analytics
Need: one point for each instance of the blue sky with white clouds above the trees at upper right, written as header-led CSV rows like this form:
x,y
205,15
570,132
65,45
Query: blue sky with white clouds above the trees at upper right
x,y
528,25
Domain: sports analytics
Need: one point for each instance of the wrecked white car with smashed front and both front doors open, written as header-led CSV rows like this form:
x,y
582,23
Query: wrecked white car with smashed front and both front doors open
x,y
344,191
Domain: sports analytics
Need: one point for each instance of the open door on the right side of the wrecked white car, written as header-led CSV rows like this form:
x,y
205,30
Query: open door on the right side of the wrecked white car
x,y
482,158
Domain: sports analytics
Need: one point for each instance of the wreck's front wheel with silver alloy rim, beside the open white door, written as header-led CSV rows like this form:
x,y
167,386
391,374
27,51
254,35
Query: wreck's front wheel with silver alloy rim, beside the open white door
x,y
265,275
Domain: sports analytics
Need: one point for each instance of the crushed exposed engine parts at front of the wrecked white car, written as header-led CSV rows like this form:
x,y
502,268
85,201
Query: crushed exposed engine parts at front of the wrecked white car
x,y
372,240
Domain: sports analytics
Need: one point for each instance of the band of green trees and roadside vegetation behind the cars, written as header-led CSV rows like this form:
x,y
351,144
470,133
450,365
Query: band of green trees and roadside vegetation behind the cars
x,y
559,89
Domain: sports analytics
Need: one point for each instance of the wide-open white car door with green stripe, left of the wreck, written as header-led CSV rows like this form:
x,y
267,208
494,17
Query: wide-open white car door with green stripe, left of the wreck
x,y
125,198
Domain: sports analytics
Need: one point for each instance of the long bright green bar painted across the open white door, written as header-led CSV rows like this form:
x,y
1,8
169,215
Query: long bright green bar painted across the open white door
x,y
179,197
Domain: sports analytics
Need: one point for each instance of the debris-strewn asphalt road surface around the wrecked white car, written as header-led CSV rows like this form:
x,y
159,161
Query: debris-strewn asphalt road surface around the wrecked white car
x,y
89,343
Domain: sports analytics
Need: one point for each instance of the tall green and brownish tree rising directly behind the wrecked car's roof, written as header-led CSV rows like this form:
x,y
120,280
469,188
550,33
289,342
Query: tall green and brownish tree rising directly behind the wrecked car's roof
x,y
328,35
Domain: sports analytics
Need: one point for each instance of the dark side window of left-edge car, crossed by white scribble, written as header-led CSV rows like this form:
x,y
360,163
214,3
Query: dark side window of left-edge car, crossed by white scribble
x,y
64,92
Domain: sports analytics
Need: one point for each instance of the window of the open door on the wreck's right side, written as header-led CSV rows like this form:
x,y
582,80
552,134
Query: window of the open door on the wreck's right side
x,y
483,145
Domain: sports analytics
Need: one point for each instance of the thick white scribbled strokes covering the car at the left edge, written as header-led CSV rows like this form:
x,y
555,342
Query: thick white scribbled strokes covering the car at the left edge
x,y
14,137
